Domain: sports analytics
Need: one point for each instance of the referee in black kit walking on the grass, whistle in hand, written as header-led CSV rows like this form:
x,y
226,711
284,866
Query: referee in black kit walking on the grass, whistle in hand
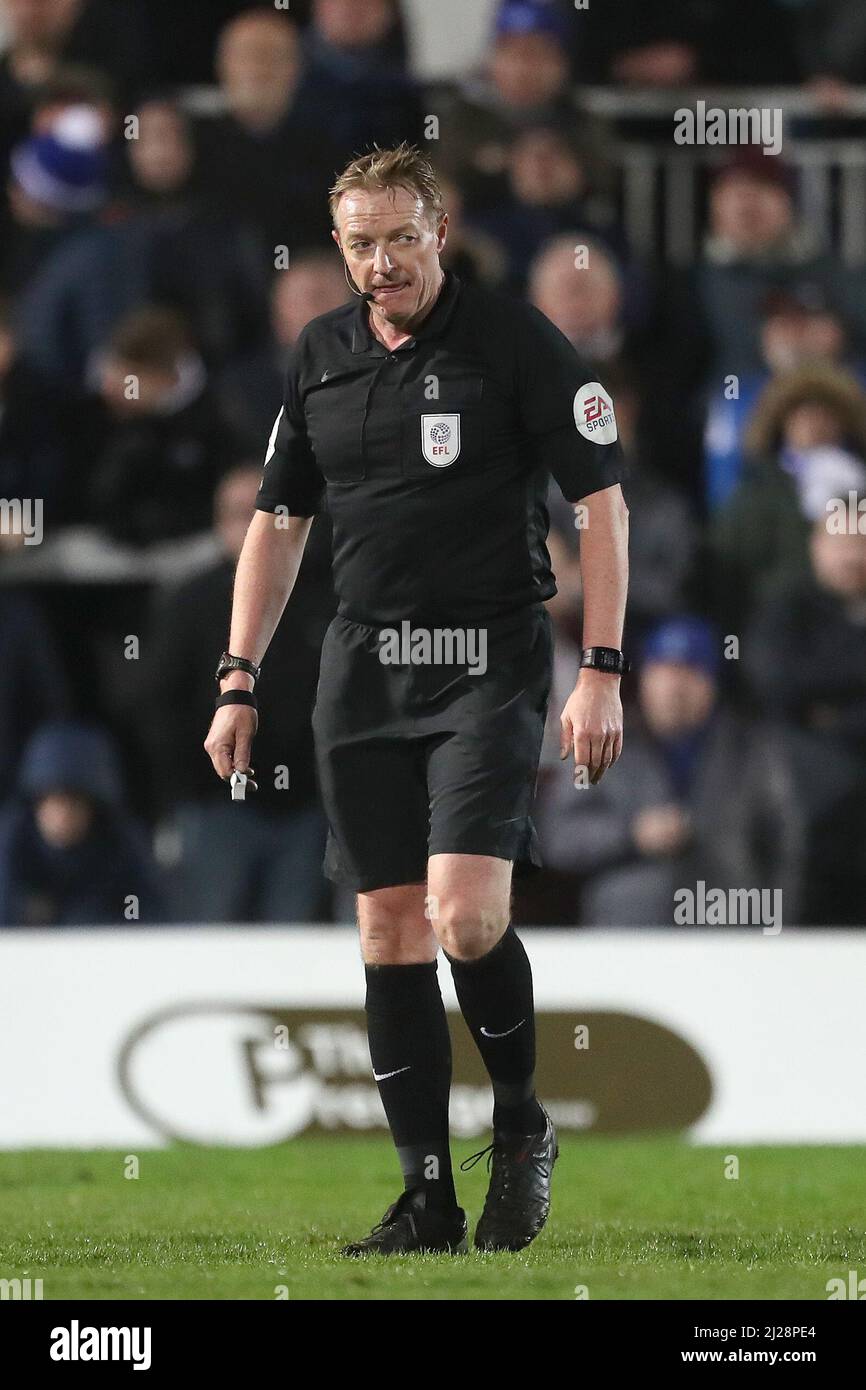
x,y
427,416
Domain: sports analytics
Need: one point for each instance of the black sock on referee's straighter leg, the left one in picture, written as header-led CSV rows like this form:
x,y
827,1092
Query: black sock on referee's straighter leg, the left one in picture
x,y
411,1050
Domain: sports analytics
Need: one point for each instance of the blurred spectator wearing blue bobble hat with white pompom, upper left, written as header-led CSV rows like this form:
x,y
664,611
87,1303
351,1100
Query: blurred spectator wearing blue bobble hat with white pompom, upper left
x,y
59,181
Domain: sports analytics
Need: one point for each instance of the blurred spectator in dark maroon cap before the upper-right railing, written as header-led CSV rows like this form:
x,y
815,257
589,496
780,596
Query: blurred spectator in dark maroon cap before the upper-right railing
x,y
757,245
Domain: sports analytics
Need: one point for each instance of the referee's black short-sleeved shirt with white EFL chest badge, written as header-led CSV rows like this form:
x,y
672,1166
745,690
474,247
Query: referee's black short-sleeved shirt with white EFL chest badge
x,y
436,458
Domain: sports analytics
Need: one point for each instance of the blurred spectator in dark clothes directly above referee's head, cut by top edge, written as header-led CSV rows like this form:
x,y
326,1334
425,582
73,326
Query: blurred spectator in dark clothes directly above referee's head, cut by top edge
x,y
357,88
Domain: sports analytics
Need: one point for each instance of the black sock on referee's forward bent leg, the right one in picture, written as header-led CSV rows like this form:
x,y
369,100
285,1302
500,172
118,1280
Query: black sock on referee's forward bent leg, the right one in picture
x,y
496,996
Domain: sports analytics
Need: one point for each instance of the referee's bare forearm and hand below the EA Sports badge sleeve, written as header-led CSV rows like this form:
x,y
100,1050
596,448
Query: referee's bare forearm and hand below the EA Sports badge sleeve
x,y
593,718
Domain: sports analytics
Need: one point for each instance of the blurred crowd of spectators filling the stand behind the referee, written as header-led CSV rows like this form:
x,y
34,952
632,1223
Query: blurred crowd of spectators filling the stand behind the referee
x,y
165,223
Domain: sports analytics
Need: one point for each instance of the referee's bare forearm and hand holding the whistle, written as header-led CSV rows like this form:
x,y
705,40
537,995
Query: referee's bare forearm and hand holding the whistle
x,y
265,579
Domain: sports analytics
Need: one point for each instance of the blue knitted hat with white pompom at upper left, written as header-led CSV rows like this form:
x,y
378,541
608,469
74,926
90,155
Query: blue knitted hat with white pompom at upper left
x,y
66,167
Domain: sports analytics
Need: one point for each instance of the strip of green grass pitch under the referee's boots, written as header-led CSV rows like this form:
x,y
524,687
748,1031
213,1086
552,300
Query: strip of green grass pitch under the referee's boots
x,y
632,1220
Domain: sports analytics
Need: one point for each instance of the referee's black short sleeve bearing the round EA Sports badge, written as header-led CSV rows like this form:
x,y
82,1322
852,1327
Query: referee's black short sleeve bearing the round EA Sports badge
x,y
569,415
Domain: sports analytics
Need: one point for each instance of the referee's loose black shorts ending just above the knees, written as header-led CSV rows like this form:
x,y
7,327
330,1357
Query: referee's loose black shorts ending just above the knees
x,y
426,760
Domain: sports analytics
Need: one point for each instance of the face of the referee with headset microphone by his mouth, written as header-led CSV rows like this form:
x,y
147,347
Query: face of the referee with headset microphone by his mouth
x,y
393,250
